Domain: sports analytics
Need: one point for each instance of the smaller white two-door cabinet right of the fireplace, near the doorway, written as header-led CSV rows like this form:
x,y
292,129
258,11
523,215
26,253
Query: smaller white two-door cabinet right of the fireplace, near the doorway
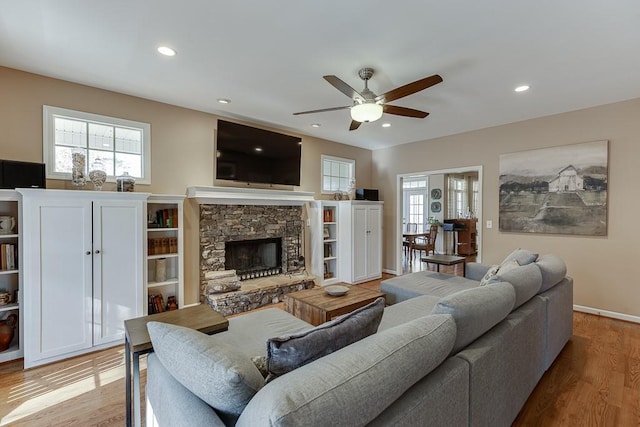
x,y
360,240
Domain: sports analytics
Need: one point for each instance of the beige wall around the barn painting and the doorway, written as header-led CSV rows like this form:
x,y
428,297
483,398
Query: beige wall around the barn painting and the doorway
x,y
603,268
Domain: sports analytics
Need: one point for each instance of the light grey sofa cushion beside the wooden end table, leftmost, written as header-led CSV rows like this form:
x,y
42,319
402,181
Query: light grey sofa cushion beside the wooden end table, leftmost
x,y
211,369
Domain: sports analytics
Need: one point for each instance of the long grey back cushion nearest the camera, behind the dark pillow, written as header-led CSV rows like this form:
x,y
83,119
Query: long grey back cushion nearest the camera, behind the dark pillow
x,y
353,385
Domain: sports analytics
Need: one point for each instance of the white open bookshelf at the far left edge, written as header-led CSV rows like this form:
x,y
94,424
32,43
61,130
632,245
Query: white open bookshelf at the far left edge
x,y
10,292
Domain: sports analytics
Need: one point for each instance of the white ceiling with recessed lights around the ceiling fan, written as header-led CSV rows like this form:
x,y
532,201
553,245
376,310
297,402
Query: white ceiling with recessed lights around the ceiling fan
x,y
268,58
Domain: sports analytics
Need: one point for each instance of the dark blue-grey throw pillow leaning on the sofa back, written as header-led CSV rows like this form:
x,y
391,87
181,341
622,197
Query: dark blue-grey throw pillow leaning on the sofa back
x,y
289,352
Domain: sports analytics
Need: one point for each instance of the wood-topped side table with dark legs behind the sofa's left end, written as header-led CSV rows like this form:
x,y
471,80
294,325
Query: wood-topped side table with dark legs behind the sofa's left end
x,y
137,342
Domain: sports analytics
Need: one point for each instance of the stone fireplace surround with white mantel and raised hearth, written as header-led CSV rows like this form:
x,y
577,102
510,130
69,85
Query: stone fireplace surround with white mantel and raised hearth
x,y
233,214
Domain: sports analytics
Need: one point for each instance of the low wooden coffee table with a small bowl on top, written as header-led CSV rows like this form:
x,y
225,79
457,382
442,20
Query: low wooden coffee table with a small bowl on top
x,y
315,306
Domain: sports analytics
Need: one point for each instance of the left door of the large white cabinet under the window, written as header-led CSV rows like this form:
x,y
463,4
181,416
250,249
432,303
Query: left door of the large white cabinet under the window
x,y
58,294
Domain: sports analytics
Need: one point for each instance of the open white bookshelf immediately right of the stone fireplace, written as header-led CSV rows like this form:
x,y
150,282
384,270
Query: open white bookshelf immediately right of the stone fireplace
x,y
323,222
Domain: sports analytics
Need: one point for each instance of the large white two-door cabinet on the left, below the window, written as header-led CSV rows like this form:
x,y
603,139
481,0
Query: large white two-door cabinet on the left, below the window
x,y
83,270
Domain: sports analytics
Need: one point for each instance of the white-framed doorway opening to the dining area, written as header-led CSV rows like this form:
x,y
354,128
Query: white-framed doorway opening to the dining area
x,y
439,202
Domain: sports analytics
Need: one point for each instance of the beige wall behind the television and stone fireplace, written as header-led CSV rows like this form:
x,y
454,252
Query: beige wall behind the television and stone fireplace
x,y
181,151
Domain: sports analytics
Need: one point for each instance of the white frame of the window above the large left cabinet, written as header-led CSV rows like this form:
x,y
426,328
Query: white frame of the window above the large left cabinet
x,y
49,113
